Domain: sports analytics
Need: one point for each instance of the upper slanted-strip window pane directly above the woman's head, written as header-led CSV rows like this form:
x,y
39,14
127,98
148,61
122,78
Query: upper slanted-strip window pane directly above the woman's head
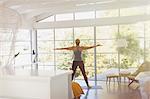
x,y
84,15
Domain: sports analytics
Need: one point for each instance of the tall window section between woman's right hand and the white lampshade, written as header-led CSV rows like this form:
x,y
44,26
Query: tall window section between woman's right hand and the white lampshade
x,y
107,60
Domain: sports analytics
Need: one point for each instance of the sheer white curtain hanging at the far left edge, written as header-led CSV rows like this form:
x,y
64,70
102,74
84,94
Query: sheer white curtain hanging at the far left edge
x,y
9,23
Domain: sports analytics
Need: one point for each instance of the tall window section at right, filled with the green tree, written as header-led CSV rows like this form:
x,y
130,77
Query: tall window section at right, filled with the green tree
x,y
132,55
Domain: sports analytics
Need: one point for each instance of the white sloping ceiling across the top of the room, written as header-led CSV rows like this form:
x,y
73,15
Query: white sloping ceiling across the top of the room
x,y
35,8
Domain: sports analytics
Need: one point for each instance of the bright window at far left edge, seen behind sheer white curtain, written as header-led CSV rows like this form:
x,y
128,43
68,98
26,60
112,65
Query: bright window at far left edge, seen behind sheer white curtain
x,y
7,46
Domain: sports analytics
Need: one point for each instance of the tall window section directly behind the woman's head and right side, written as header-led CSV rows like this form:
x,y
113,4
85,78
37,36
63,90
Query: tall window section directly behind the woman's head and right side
x,y
88,56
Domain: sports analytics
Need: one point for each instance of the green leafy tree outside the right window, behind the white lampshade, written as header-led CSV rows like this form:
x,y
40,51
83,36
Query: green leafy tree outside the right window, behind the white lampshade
x,y
132,53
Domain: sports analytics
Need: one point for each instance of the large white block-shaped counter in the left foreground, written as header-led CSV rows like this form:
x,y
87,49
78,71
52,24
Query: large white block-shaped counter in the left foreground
x,y
36,85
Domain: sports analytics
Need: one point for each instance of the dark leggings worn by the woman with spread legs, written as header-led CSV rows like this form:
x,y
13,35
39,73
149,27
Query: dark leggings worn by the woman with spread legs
x,y
81,66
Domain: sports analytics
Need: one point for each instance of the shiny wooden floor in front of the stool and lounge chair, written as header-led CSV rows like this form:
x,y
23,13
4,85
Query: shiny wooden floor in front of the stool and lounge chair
x,y
112,91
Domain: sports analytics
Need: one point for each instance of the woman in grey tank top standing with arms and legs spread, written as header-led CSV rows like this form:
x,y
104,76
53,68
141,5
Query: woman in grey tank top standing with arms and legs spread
x,y
78,58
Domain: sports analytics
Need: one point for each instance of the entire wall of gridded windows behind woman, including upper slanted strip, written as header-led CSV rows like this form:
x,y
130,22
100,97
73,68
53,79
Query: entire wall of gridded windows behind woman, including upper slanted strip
x,y
104,59
